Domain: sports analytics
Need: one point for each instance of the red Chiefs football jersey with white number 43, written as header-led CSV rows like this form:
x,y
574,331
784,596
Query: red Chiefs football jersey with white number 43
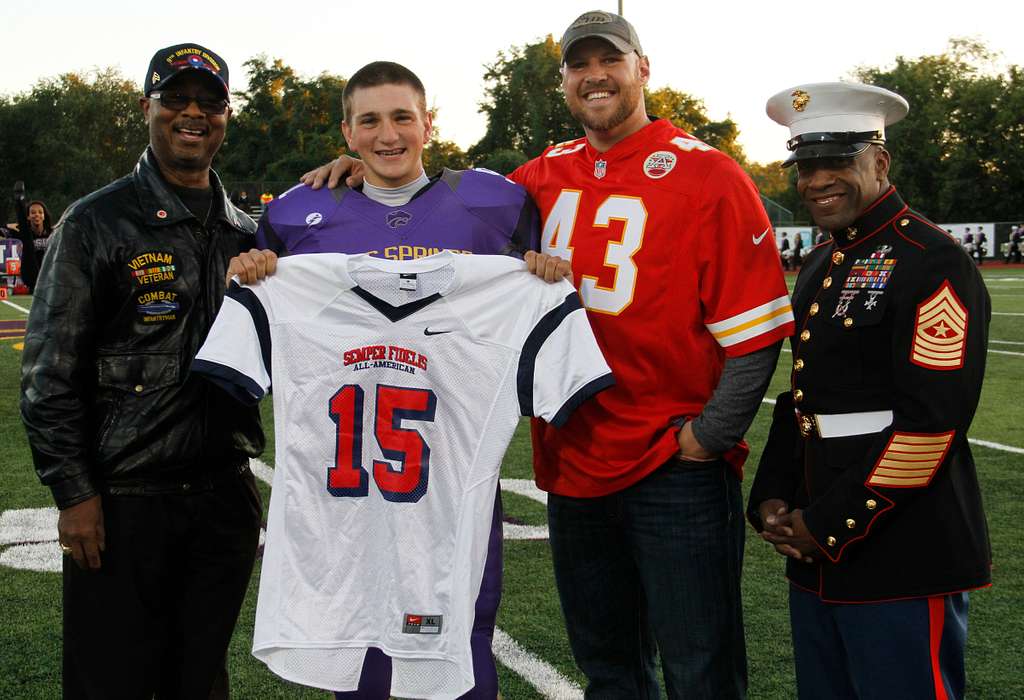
x,y
676,264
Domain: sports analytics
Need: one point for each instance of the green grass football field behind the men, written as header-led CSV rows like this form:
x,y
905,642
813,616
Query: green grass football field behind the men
x,y
30,602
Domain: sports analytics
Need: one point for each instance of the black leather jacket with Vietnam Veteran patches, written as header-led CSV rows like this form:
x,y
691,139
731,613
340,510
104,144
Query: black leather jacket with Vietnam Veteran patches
x,y
127,294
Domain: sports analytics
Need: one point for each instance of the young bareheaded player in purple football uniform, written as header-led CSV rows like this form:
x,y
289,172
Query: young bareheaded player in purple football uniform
x,y
401,213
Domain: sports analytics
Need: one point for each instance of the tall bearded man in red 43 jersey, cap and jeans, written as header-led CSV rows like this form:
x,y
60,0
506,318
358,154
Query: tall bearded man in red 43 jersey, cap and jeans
x,y
675,261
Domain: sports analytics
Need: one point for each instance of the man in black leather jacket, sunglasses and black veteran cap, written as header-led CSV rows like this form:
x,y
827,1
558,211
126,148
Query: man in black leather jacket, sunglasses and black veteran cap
x,y
159,516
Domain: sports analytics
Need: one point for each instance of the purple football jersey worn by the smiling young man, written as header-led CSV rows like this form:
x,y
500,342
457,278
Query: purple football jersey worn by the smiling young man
x,y
465,211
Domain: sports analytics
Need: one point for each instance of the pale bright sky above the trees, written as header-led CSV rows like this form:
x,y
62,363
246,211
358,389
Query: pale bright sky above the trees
x,y
734,56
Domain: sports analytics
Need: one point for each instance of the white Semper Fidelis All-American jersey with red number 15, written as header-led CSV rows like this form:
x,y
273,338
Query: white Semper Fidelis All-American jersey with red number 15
x,y
397,389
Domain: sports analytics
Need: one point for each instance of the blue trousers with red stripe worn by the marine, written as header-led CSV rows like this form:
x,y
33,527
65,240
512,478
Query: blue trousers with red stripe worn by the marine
x,y
912,650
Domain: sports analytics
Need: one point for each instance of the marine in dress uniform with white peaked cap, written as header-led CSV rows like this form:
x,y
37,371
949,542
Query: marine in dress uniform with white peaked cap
x,y
868,483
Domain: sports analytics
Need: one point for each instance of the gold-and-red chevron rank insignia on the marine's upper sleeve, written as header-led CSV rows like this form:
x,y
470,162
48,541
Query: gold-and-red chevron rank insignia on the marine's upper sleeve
x,y
941,332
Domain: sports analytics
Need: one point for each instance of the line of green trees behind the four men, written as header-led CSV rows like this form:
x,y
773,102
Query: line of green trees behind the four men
x,y
958,157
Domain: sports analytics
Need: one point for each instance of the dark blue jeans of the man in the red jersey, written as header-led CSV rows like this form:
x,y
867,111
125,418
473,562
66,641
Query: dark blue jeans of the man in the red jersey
x,y
656,565
